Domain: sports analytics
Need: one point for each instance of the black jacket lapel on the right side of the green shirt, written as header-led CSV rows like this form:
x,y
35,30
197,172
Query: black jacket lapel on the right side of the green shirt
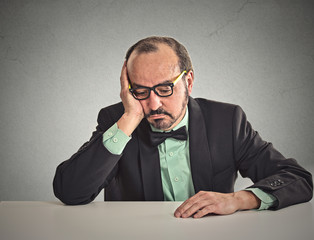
x,y
200,159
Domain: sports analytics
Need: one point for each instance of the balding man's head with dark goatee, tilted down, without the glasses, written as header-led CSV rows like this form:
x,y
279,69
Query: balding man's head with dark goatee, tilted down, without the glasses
x,y
160,60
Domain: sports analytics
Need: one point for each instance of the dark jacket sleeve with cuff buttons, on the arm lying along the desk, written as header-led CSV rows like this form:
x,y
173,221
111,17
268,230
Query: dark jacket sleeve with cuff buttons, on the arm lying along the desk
x,y
269,170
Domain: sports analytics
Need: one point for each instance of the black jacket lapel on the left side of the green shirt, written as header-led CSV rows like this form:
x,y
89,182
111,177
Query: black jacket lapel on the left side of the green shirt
x,y
150,165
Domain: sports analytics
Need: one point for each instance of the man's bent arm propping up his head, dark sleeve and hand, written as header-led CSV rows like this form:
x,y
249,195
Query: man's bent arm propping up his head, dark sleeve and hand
x,y
80,179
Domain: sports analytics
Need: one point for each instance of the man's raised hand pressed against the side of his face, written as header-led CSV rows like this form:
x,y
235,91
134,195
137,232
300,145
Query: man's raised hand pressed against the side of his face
x,y
133,111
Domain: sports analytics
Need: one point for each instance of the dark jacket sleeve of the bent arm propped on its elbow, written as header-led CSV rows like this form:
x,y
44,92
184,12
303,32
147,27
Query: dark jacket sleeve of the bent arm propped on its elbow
x,y
80,179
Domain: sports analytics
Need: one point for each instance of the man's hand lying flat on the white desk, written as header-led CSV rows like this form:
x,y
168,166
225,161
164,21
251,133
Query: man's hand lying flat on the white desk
x,y
204,203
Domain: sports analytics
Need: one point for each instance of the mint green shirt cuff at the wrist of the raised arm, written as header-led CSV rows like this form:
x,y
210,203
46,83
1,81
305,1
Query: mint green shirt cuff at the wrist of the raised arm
x,y
115,140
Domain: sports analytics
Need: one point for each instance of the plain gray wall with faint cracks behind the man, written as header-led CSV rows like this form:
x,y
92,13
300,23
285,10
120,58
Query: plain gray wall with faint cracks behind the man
x,y
60,63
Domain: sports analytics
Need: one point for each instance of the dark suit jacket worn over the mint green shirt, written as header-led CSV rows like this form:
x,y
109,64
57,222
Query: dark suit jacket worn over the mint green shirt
x,y
222,142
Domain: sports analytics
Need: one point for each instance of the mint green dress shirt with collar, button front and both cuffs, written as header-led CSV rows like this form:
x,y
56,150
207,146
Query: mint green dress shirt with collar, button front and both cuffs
x,y
174,165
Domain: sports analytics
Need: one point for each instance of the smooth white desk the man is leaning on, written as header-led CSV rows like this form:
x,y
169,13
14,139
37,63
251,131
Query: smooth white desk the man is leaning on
x,y
147,220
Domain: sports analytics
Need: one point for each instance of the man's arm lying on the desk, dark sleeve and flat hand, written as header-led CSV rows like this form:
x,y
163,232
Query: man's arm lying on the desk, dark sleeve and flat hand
x,y
283,178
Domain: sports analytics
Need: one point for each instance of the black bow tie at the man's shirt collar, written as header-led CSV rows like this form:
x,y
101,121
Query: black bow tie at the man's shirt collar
x,y
157,138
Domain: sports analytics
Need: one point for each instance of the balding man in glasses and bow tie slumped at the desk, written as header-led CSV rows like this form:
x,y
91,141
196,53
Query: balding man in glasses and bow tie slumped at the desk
x,y
196,161
